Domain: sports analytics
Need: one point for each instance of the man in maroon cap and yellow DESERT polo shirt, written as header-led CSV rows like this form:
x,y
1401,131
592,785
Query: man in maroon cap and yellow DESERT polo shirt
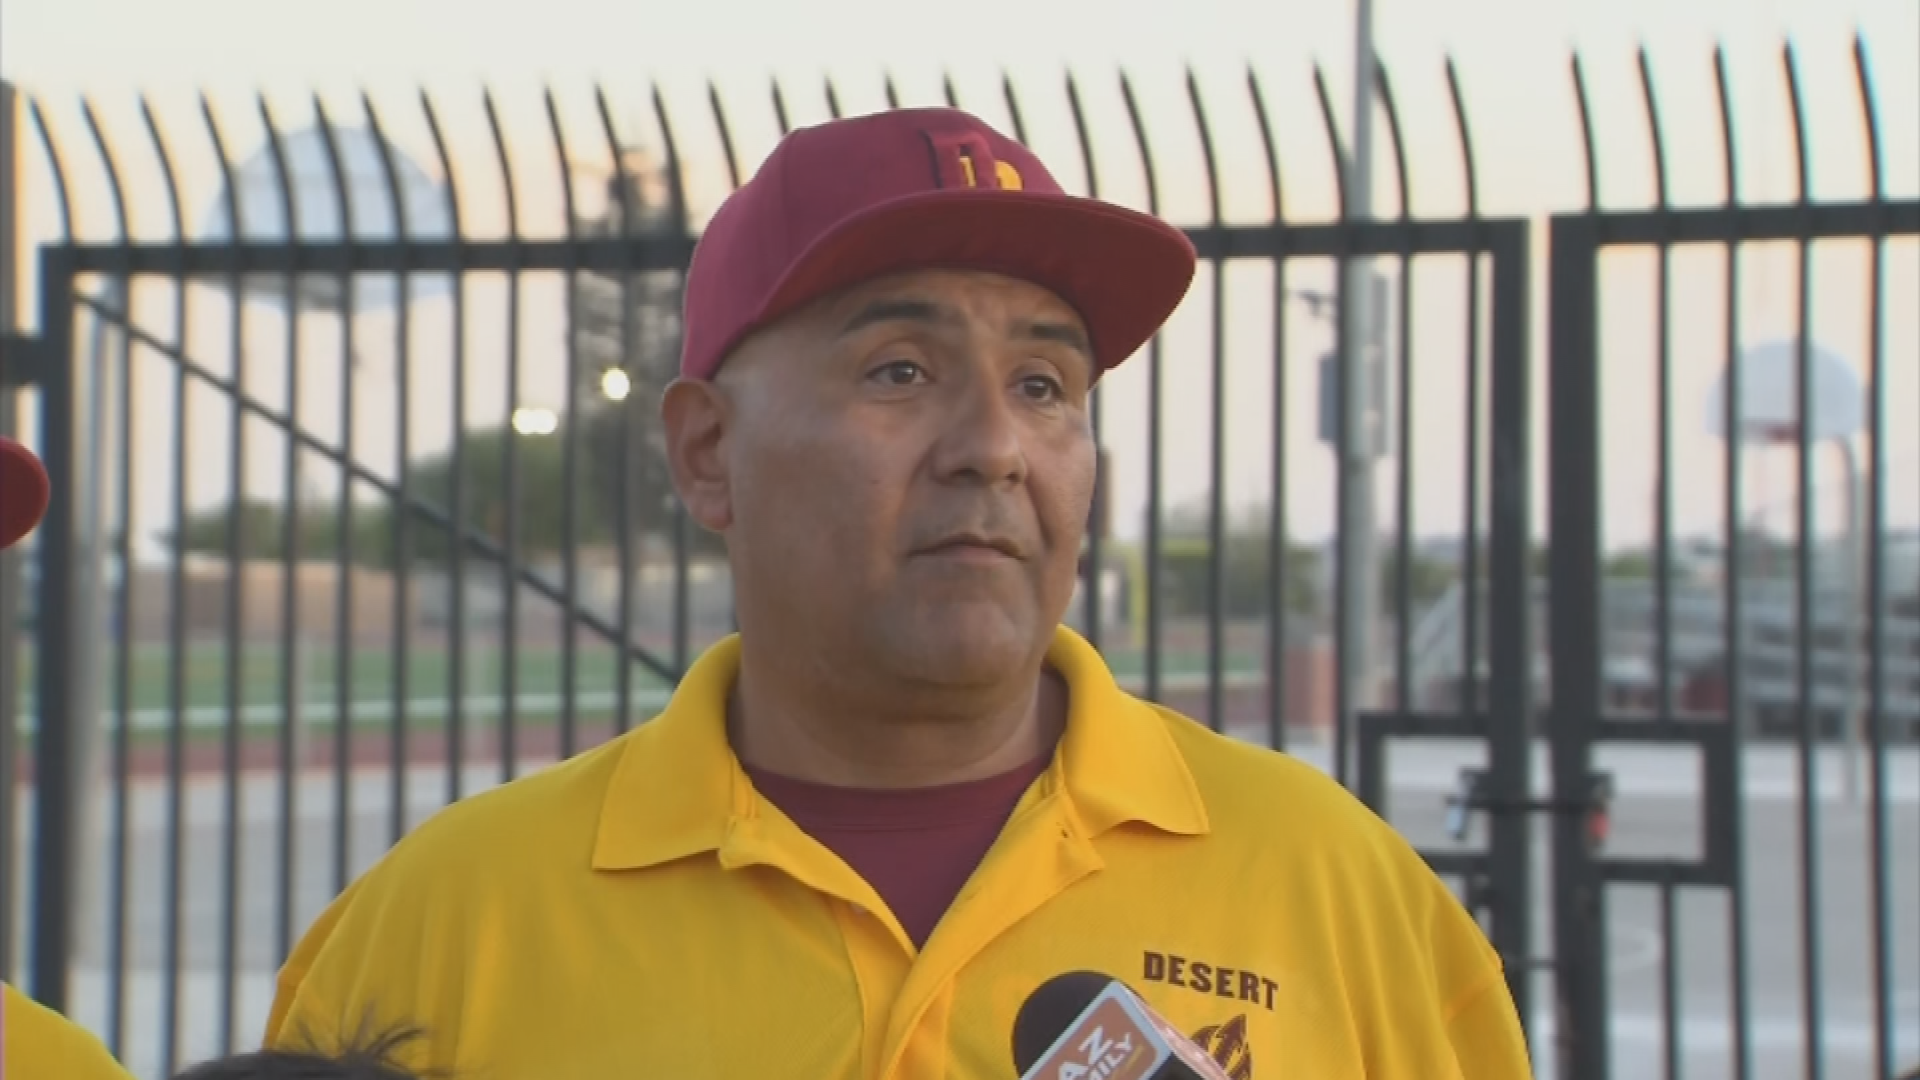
x,y
903,797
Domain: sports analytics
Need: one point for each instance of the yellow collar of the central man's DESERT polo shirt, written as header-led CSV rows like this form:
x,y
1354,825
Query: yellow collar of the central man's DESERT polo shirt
x,y
679,789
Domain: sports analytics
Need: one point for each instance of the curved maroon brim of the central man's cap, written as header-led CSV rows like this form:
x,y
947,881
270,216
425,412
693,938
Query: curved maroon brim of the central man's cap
x,y
1124,272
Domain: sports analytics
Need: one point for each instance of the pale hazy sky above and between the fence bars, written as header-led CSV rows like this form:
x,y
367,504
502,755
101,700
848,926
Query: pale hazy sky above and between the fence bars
x,y
1514,68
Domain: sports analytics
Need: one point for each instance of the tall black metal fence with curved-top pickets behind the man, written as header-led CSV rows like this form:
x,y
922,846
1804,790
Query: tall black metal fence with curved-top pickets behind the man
x,y
266,637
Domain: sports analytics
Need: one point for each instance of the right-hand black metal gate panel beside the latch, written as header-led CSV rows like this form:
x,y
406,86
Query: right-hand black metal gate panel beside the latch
x,y
1777,652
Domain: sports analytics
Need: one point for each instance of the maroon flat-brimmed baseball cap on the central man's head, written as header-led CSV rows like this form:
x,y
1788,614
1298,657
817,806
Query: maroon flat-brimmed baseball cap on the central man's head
x,y
923,189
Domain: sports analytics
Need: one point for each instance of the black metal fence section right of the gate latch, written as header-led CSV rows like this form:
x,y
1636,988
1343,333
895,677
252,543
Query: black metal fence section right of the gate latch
x,y
1583,712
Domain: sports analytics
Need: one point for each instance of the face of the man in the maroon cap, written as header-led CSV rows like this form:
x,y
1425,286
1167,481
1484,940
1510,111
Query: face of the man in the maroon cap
x,y
903,474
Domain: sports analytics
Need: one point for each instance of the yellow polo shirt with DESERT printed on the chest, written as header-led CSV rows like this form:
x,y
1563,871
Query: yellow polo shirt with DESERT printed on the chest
x,y
642,912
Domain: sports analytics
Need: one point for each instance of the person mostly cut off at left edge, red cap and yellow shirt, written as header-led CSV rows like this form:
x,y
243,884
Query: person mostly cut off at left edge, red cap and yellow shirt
x,y
36,1043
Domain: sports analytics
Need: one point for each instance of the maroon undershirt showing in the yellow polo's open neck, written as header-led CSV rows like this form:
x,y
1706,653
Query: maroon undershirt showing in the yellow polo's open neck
x,y
915,847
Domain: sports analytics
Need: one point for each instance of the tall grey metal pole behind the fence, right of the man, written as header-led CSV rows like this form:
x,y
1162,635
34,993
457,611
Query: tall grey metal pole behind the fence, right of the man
x,y
1356,583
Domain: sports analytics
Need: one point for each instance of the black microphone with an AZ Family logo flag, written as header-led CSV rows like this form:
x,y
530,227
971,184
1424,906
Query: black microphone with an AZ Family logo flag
x,y
1090,1027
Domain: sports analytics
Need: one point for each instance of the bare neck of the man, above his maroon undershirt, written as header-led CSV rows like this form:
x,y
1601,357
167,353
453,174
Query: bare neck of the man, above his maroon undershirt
x,y
827,735
